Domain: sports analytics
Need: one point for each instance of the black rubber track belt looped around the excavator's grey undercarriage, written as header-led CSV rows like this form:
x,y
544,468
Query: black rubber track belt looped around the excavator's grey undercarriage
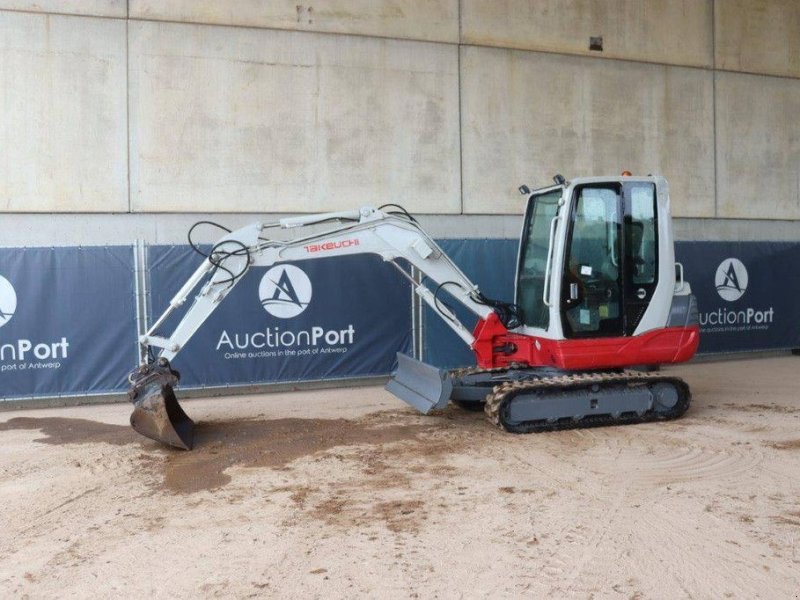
x,y
498,400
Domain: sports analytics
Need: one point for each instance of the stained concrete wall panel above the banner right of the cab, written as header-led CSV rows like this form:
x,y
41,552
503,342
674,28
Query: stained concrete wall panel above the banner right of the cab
x,y
758,146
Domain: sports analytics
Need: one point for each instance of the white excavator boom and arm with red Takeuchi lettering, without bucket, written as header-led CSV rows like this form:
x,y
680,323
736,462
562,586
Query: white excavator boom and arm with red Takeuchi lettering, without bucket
x,y
370,231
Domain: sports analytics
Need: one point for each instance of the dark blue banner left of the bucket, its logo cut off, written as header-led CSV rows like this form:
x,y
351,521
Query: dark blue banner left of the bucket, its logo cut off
x,y
67,320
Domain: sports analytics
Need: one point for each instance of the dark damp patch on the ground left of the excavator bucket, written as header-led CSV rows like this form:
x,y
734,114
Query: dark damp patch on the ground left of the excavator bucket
x,y
60,431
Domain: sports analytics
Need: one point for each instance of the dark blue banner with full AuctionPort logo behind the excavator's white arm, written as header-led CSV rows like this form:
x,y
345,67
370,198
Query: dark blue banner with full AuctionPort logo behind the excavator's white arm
x,y
319,319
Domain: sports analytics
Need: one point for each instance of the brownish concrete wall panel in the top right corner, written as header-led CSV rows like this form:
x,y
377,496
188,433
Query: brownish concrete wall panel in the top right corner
x,y
758,36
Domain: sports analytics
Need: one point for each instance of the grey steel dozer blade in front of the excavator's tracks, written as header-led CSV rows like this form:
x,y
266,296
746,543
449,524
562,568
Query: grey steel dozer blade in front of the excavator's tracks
x,y
422,386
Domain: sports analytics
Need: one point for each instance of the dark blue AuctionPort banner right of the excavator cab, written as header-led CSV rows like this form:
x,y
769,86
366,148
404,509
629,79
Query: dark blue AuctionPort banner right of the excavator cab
x,y
746,293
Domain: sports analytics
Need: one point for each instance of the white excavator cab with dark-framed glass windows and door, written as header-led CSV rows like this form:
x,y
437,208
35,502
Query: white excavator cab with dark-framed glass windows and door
x,y
596,259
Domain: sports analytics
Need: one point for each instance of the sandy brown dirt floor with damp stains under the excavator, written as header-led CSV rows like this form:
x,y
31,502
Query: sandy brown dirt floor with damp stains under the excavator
x,y
347,492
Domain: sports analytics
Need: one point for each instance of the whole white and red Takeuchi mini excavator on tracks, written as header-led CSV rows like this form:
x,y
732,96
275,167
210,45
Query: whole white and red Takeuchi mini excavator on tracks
x,y
598,292
